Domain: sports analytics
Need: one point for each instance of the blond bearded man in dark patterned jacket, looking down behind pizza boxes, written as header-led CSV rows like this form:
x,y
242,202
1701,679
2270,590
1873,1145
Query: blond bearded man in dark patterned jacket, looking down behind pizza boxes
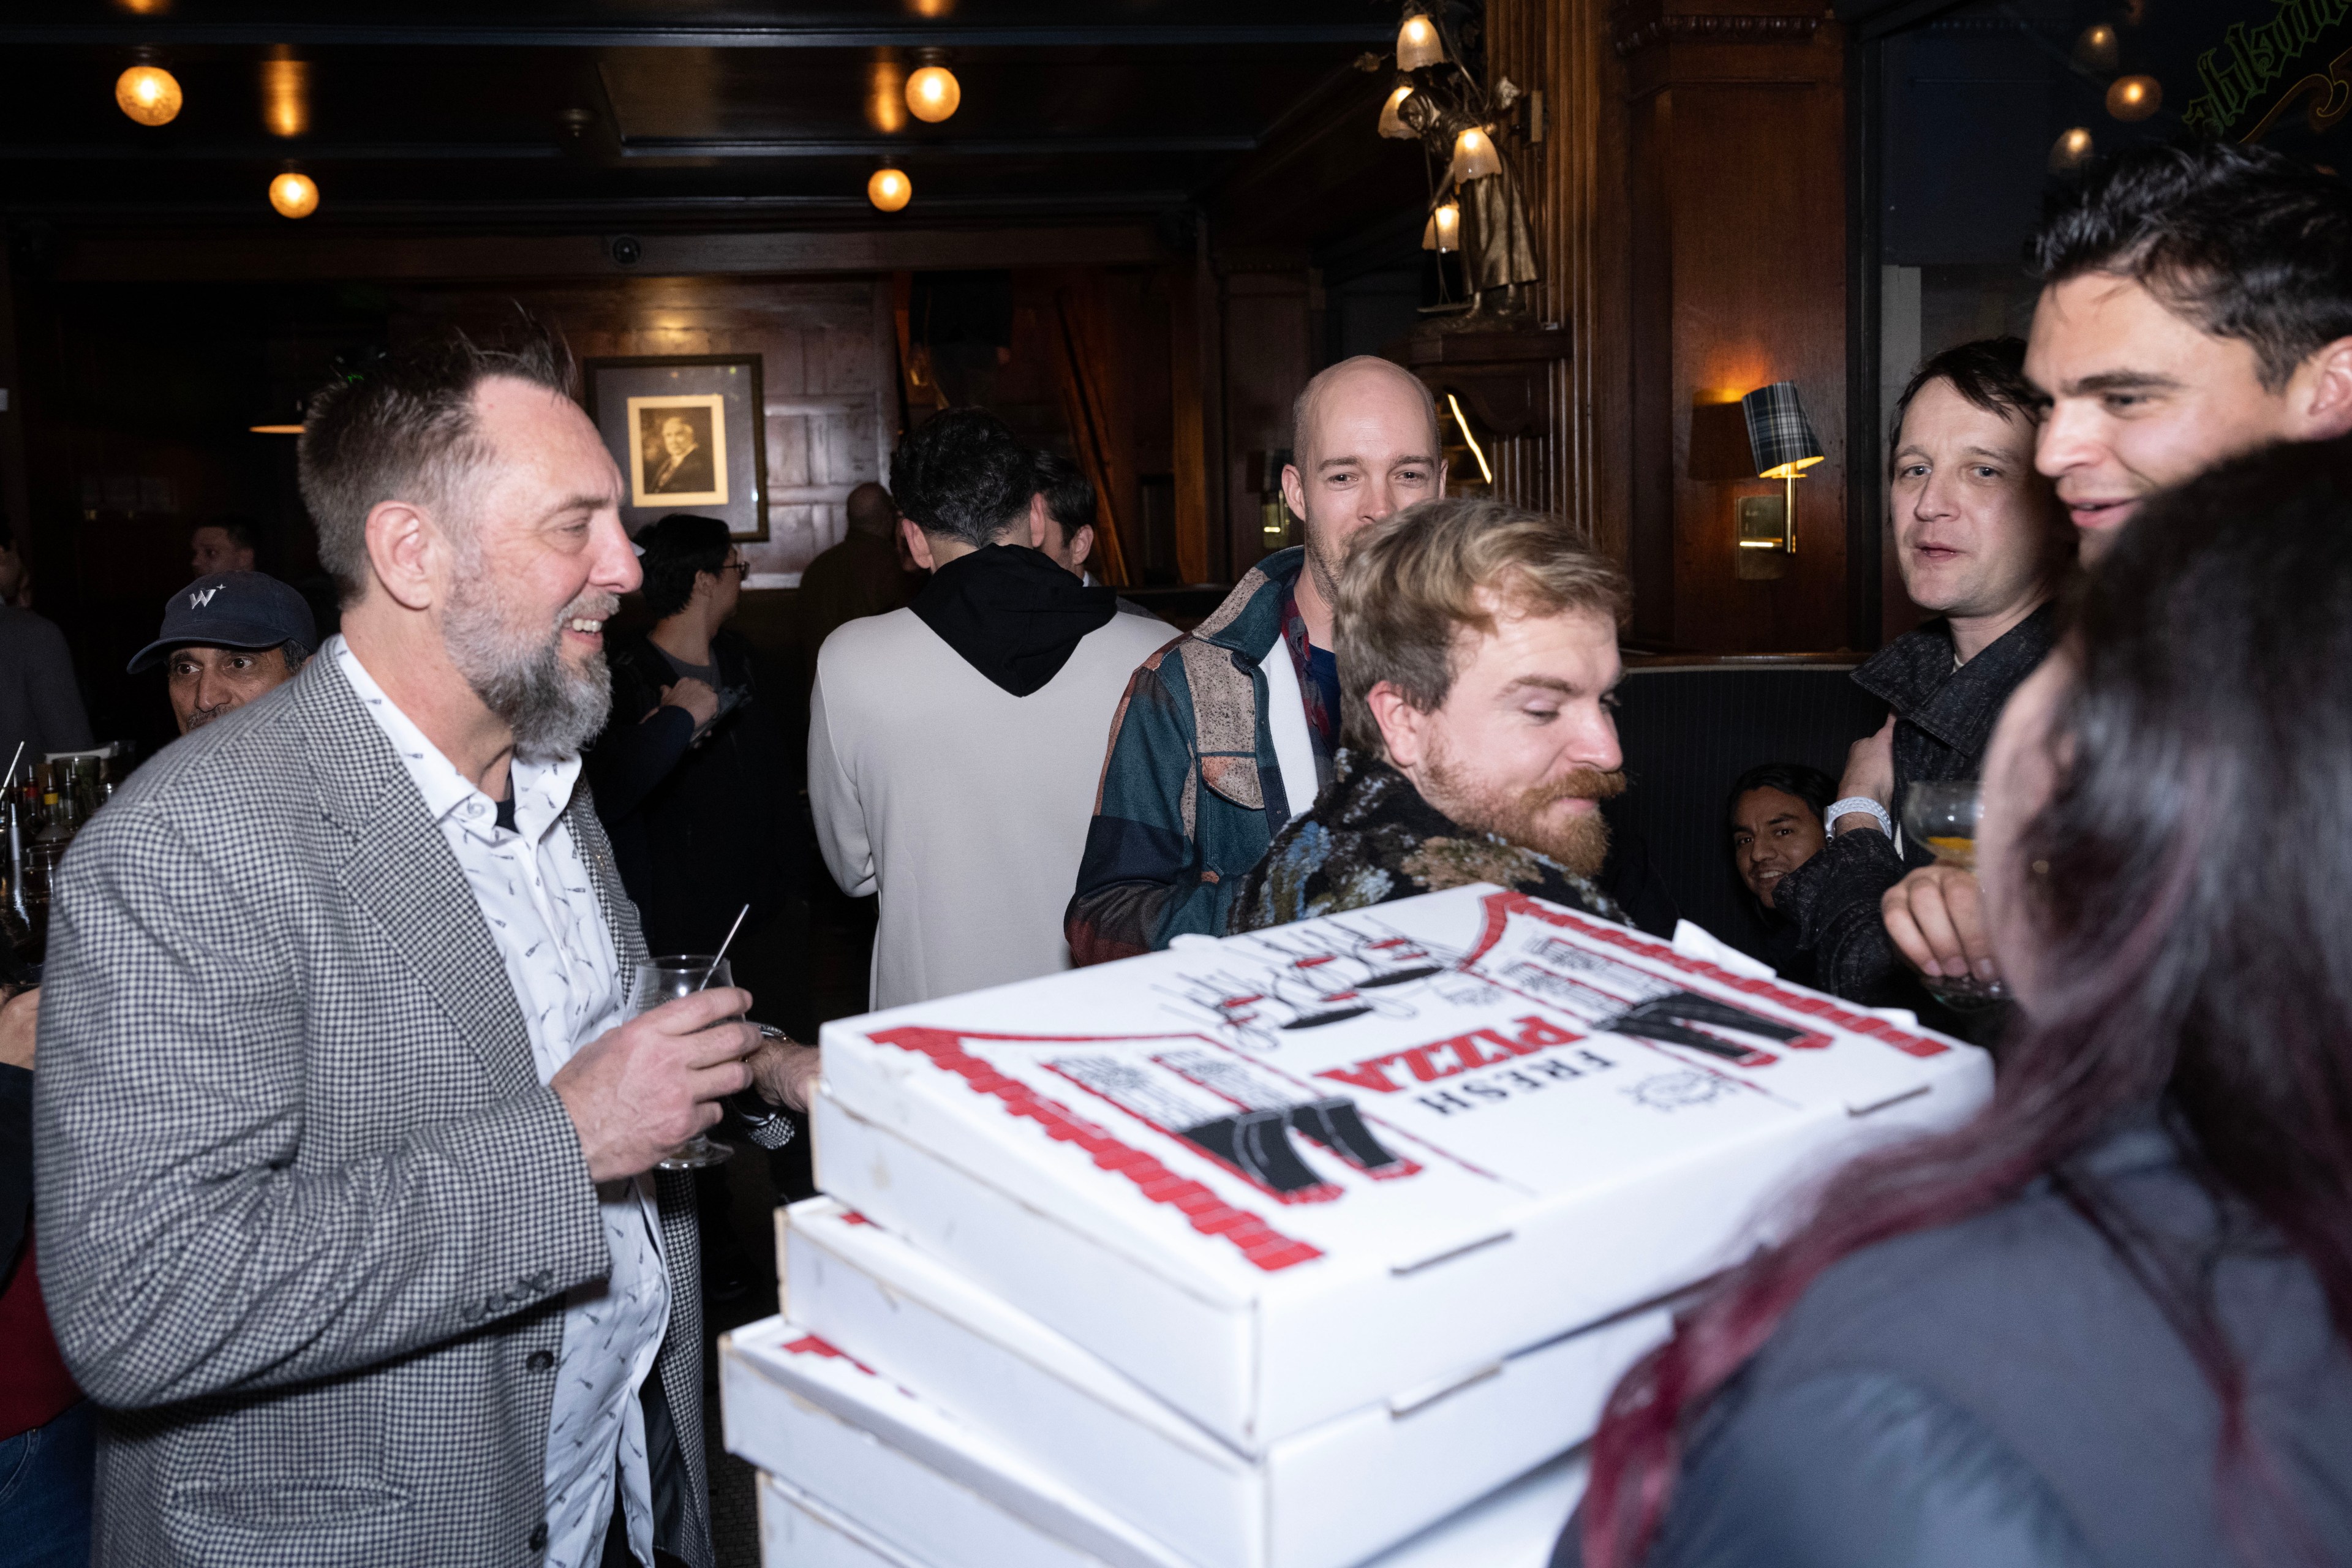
x,y
1476,655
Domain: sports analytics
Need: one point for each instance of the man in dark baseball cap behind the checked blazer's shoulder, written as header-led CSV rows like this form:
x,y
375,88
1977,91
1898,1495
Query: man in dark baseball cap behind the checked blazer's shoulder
x,y
227,638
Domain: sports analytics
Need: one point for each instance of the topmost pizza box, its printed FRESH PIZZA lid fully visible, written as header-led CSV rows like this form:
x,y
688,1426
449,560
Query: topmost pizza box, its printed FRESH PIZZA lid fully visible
x,y
1295,1174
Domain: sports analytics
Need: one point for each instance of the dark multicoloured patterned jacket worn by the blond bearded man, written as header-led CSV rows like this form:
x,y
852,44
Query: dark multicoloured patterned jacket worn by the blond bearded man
x,y
1375,838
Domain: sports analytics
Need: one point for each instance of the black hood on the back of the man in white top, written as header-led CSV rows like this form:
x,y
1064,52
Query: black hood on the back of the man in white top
x,y
1013,615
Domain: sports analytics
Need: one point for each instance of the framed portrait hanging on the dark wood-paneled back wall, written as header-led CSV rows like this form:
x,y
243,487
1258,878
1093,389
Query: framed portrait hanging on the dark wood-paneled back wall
x,y
688,434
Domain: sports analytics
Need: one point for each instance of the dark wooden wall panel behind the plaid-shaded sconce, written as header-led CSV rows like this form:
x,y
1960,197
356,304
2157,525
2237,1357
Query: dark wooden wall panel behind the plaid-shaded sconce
x,y
1739,281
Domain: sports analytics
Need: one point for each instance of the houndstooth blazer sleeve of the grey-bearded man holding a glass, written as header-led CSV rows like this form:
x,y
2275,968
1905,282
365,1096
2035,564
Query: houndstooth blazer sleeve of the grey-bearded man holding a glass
x,y
185,1245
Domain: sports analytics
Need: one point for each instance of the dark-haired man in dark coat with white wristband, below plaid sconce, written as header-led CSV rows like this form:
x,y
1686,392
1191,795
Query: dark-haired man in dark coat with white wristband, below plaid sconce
x,y
1982,547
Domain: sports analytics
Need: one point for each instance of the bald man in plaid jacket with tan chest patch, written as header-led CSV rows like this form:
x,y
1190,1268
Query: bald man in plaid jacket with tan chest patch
x,y
1227,735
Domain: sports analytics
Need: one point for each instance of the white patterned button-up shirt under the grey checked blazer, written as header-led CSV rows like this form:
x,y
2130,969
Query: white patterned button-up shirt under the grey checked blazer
x,y
561,960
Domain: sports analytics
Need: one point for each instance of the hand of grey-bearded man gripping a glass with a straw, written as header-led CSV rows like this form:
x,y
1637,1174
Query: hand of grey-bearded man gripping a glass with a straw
x,y
643,1090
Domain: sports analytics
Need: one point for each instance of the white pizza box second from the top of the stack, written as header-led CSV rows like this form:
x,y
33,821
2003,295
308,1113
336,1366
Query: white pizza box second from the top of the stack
x,y
1321,1499
